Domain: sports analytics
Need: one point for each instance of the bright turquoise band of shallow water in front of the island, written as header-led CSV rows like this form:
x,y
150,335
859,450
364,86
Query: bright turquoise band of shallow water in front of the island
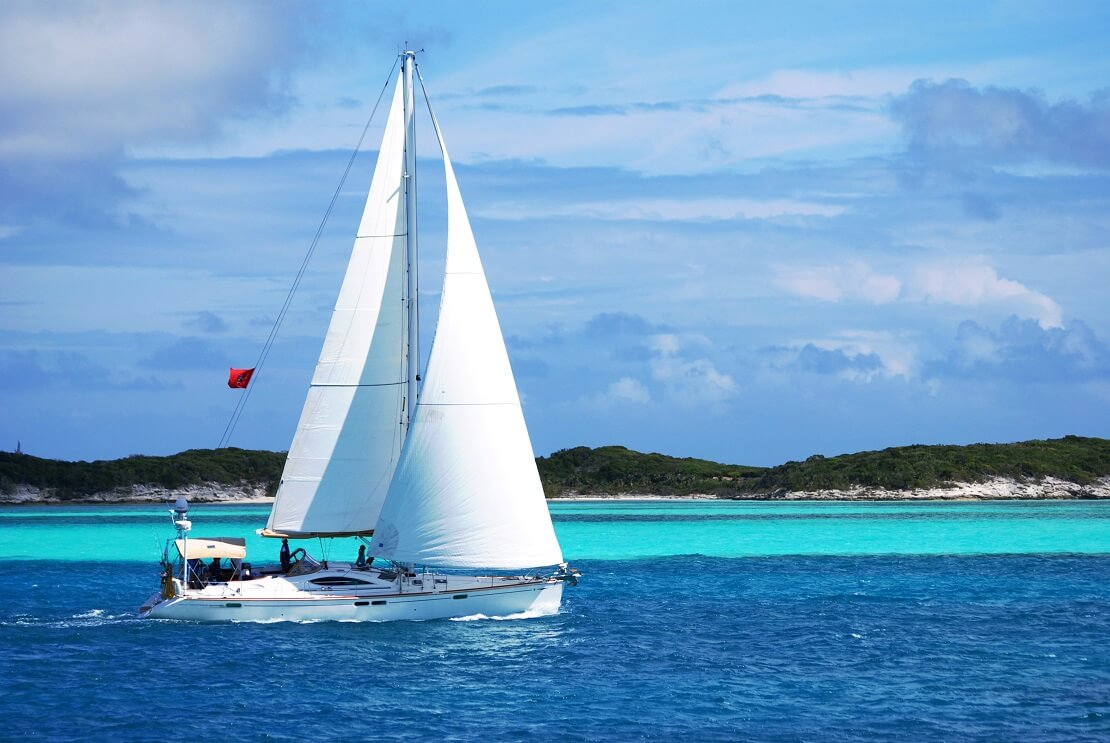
x,y
628,530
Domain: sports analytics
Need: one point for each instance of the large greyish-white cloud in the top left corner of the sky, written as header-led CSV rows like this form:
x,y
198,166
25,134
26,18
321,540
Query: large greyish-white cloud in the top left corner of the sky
x,y
80,79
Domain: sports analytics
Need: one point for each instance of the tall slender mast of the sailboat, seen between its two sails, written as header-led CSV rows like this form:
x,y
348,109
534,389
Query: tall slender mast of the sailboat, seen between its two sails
x,y
411,255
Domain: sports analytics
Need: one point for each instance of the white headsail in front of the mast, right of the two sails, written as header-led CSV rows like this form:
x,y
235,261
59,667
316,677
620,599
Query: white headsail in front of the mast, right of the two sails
x,y
467,493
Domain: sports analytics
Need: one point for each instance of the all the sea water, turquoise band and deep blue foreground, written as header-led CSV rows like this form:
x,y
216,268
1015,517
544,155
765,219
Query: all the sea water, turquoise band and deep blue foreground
x,y
694,621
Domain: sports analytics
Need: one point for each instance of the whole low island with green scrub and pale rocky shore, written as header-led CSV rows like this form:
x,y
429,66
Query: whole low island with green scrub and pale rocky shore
x,y
1068,468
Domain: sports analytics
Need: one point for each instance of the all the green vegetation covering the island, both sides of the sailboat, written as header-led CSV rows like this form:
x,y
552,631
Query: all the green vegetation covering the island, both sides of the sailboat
x,y
618,470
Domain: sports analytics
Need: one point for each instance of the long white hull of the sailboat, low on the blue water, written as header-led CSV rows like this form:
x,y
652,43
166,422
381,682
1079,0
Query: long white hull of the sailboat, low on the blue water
x,y
277,599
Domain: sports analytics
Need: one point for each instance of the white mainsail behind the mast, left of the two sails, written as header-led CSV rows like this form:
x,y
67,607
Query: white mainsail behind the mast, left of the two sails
x,y
349,439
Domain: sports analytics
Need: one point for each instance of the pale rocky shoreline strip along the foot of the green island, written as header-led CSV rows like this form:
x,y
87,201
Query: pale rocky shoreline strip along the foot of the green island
x,y
247,493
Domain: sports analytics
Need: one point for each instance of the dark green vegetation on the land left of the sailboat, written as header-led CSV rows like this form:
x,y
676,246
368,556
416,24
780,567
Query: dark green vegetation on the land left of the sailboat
x,y
74,480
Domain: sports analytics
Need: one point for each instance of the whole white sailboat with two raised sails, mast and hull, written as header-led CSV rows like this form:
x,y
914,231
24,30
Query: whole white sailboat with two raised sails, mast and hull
x,y
435,477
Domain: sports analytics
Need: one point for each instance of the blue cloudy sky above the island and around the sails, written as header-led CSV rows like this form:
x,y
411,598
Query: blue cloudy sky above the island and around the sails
x,y
749,233
